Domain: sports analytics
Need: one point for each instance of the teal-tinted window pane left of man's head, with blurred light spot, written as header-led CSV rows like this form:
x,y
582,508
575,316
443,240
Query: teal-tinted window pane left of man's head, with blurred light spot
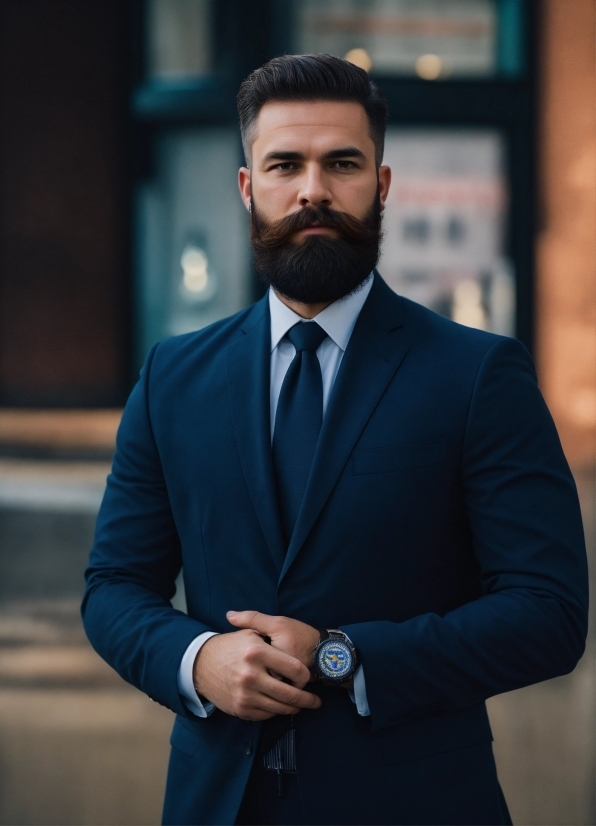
x,y
193,253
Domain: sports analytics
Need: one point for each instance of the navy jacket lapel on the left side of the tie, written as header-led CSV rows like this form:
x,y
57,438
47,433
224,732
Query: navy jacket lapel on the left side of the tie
x,y
248,377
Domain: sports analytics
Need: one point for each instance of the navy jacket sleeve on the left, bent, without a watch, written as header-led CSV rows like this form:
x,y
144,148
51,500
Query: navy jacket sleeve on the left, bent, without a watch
x,y
134,564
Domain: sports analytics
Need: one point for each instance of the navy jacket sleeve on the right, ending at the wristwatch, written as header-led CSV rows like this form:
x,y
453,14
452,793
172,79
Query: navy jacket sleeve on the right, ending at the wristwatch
x,y
523,514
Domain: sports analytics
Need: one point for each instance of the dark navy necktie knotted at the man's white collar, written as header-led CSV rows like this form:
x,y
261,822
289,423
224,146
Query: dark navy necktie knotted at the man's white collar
x,y
298,421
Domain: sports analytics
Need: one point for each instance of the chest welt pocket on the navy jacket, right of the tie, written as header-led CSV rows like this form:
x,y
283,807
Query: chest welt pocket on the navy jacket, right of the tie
x,y
400,457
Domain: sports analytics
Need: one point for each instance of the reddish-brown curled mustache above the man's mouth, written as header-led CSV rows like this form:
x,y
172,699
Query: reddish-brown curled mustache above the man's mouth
x,y
278,233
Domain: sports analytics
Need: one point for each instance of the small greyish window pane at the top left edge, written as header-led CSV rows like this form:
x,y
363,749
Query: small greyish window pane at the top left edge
x,y
179,39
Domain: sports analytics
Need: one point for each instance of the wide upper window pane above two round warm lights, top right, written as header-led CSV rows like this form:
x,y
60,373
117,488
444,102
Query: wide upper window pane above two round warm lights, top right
x,y
428,38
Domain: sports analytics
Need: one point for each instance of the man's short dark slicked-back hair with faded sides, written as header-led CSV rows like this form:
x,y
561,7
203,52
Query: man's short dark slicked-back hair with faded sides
x,y
308,78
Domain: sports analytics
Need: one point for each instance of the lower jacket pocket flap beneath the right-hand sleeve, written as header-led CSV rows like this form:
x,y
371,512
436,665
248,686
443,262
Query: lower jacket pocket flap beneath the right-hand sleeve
x,y
436,734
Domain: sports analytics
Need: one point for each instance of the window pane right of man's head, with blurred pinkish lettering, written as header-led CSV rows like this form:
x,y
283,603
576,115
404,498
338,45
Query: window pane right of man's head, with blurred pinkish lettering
x,y
444,225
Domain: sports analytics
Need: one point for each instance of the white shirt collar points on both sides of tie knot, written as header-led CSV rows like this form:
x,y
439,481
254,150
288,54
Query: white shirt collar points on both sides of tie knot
x,y
338,319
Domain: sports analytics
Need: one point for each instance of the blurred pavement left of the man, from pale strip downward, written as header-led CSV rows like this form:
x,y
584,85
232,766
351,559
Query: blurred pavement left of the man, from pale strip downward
x,y
77,744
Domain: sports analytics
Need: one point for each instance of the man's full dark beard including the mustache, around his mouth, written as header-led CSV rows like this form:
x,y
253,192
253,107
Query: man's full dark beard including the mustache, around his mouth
x,y
316,269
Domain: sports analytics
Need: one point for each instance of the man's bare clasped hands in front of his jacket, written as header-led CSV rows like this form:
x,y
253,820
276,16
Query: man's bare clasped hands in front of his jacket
x,y
244,676
